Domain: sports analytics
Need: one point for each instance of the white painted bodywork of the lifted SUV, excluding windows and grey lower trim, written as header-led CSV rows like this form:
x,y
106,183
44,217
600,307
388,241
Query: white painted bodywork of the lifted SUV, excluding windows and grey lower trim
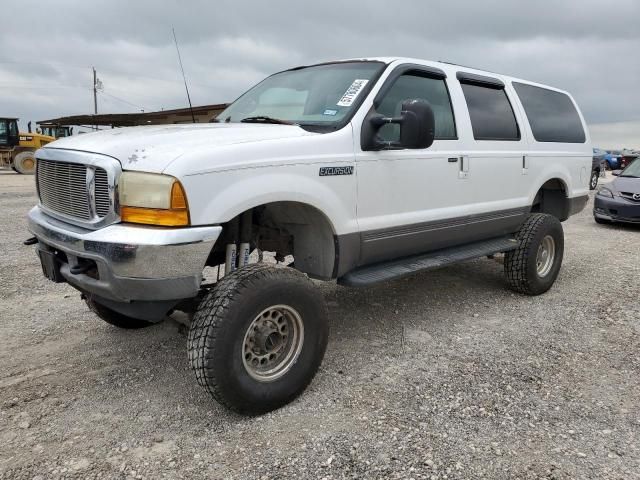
x,y
228,168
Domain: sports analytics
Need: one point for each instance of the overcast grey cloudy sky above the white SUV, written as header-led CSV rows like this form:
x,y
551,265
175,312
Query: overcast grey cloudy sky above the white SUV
x,y
47,49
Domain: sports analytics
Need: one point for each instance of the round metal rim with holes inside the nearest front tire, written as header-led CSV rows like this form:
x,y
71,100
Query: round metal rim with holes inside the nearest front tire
x,y
272,343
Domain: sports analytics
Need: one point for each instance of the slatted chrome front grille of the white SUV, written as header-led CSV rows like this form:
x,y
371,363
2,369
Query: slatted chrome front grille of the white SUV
x,y
62,188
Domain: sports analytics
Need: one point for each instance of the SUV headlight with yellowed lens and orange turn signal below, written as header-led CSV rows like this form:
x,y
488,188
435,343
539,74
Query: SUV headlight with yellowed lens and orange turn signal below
x,y
152,199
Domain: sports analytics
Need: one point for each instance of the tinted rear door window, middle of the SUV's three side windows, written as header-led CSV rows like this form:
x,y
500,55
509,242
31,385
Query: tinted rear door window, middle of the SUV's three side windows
x,y
492,117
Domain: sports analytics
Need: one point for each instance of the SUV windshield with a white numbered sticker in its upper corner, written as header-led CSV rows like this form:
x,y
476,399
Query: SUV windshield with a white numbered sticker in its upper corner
x,y
320,95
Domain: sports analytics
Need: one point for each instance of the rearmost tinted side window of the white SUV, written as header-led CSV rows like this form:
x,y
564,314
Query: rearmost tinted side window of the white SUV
x,y
552,115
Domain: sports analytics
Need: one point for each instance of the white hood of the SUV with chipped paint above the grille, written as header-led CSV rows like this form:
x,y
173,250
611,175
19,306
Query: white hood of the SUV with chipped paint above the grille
x,y
153,148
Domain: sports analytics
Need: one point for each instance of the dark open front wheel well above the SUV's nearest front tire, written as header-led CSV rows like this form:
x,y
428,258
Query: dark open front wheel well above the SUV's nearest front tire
x,y
286,228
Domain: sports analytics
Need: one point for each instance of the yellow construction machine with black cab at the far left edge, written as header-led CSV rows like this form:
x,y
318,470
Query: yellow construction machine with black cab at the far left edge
x,y
17,149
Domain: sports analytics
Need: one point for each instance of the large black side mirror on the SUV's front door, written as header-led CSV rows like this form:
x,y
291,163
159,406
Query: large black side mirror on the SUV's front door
x,y
417,127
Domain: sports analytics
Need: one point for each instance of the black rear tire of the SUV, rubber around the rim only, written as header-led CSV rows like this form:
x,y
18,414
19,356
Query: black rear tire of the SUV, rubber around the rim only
x,y
520,265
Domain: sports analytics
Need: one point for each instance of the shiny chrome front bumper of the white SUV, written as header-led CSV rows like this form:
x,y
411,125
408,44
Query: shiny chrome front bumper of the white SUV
x,y
134,263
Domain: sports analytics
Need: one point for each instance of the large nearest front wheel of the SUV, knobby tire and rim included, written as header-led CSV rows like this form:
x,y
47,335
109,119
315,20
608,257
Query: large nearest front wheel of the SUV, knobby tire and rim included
x,y
258,338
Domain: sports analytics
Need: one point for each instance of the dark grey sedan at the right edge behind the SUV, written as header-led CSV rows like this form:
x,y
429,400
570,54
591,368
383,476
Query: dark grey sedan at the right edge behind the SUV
x,y
619,201
